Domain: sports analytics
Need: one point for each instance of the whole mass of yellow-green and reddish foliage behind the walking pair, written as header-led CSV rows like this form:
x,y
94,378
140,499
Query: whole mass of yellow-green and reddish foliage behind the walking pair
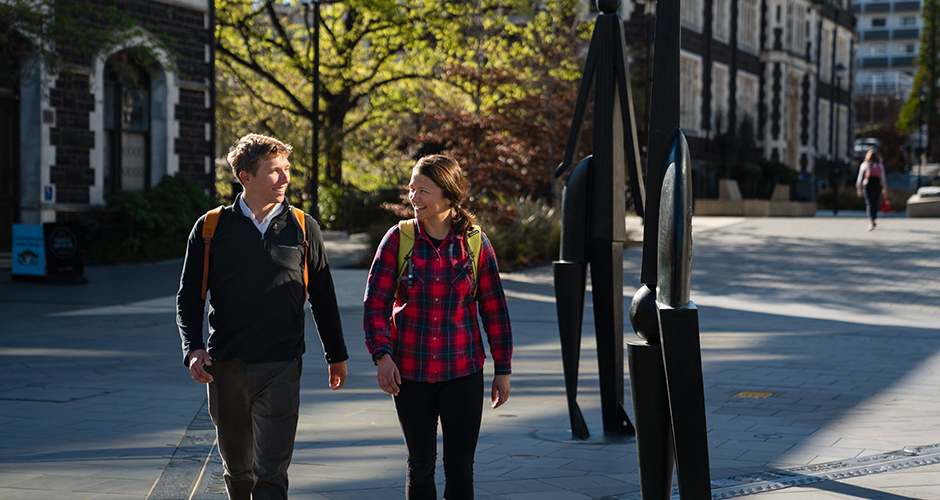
x,y
496,78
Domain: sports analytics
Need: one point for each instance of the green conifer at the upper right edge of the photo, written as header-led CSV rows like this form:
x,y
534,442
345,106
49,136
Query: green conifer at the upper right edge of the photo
x,y
915,111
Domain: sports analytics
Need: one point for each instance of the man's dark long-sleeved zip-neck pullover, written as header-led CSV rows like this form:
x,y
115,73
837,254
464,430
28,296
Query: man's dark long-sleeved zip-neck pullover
x,y
256,292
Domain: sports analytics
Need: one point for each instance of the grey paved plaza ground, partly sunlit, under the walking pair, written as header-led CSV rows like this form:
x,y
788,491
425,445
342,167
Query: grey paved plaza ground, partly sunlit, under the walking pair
x,y
820,346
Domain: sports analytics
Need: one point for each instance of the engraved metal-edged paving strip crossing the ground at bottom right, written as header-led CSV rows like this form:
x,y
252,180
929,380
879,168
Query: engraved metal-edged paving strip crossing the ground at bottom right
x,y
750,484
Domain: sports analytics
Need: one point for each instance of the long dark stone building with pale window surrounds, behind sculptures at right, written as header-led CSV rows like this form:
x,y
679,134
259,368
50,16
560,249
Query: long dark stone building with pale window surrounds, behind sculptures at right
x,y
767,68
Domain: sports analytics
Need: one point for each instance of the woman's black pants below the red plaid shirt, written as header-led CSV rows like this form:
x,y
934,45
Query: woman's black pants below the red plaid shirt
x,y
459,404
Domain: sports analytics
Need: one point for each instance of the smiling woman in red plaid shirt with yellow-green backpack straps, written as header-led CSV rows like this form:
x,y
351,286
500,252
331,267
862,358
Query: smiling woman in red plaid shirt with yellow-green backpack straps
x,y
422,329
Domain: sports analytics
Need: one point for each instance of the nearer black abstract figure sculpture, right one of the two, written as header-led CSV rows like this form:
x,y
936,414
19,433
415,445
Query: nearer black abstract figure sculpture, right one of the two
x,y
666,369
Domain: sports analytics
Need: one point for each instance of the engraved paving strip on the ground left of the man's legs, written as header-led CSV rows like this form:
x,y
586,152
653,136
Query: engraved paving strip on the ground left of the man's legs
x,y
183,474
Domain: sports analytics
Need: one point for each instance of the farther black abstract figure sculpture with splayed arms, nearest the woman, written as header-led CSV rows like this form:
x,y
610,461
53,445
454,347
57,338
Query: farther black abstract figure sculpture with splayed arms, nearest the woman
x,y
593,231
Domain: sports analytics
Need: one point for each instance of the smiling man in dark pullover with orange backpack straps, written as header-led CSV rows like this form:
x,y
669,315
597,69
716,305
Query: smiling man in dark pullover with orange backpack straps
x,y
261,267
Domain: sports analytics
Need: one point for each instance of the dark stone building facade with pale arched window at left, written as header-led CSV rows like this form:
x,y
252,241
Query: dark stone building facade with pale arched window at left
x,y
120,118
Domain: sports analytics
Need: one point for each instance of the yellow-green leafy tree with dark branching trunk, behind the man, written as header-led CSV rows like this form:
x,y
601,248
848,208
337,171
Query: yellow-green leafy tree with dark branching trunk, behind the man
x,y
368,48
